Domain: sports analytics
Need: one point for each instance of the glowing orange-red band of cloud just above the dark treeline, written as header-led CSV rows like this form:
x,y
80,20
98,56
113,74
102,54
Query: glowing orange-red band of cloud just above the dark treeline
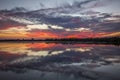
x,y
22,32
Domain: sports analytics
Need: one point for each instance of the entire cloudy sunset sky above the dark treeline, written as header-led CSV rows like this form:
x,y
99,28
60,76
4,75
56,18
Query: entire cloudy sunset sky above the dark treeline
x,y
41,19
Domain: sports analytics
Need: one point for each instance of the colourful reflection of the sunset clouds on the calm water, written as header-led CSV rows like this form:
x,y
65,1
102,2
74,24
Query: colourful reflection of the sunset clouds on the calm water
x,y
57,56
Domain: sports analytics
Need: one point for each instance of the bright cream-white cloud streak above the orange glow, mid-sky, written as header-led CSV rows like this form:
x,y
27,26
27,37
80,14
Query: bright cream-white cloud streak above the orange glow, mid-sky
x,y
45,27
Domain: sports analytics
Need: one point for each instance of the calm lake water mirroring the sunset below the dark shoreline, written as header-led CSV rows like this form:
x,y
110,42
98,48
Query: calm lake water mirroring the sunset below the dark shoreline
x,y
59,61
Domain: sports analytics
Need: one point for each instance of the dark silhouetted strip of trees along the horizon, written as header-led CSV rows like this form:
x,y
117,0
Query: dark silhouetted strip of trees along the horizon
x,y
111,40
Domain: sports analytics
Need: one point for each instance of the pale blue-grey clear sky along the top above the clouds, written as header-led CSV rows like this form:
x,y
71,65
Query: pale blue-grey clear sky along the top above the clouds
x,y
110,5
